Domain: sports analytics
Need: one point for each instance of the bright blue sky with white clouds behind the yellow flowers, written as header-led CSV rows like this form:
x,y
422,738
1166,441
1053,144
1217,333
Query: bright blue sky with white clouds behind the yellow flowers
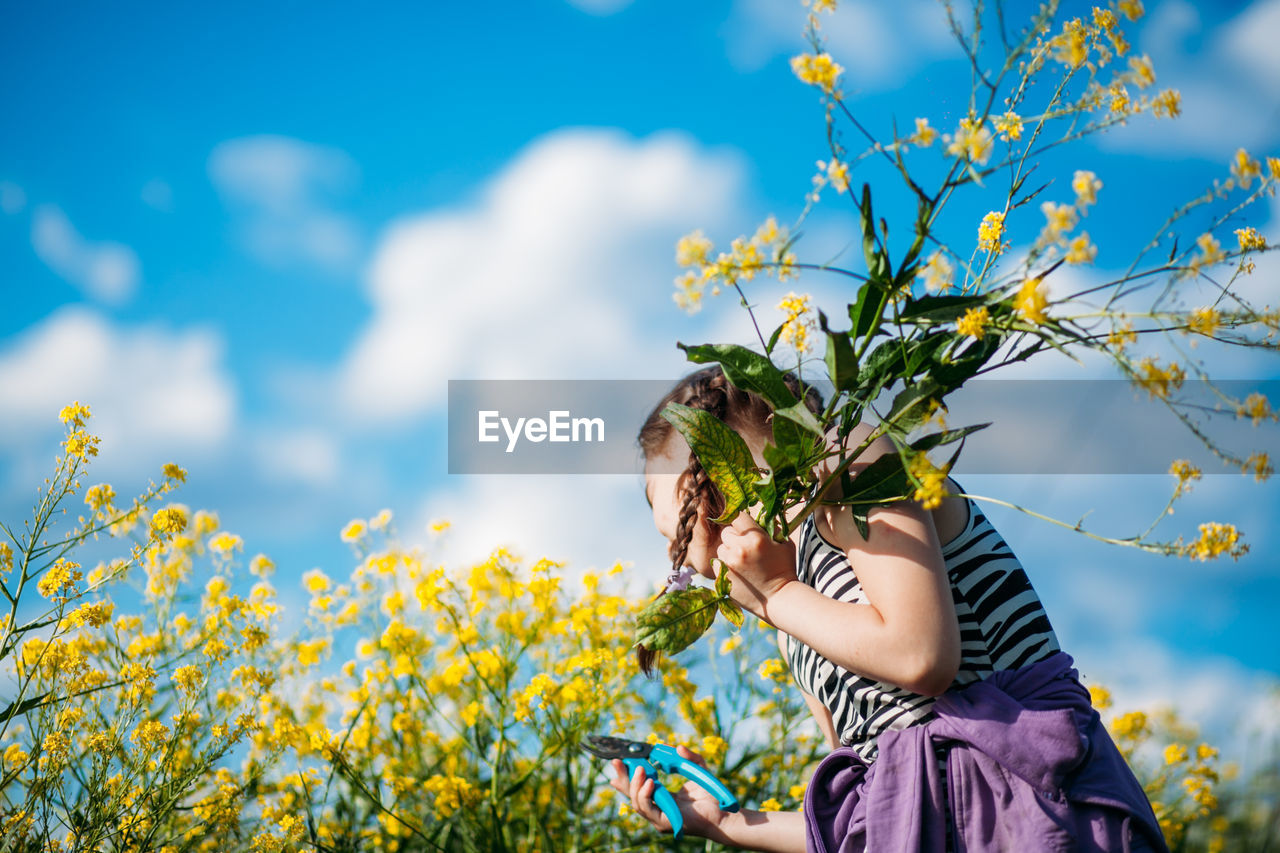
x,y
259,240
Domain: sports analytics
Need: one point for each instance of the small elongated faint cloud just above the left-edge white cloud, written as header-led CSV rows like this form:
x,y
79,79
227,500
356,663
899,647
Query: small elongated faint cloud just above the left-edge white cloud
x,y
106,271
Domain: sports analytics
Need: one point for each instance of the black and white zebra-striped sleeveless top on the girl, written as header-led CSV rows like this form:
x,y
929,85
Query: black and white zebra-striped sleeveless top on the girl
x,y
1003,627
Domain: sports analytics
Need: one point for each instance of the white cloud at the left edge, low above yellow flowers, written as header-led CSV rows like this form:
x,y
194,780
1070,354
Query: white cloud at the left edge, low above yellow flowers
x,y
152,390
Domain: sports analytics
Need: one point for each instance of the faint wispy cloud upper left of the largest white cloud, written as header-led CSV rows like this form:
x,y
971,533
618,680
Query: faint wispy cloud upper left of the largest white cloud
x,y
284,193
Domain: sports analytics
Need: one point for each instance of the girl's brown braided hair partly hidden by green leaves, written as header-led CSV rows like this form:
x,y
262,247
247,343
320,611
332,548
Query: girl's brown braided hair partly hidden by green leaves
x,y
743,410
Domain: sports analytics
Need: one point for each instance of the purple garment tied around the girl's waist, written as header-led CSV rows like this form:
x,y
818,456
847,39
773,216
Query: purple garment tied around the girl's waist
x,y
1030,768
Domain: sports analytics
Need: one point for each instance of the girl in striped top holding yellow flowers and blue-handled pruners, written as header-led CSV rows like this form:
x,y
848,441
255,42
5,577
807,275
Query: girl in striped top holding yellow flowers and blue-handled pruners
x,y
956,720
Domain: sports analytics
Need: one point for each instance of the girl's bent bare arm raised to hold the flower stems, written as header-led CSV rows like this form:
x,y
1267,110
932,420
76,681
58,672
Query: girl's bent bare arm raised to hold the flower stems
x,y
907,635
